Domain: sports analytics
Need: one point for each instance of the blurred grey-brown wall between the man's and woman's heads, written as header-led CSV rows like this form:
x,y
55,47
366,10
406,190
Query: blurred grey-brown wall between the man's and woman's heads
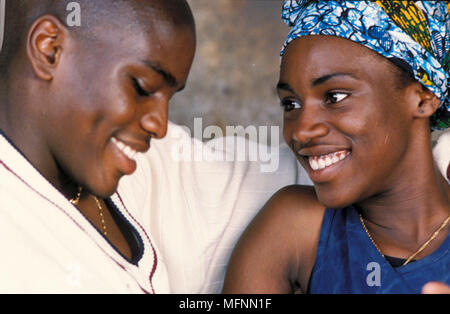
x,y
236,67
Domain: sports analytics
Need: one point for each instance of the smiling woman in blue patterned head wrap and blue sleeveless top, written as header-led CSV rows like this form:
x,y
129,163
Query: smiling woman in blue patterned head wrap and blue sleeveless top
x,y
361,84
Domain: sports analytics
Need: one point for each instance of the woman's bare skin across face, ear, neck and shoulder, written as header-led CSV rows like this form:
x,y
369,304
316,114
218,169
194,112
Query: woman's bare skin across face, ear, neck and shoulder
x,y
333,103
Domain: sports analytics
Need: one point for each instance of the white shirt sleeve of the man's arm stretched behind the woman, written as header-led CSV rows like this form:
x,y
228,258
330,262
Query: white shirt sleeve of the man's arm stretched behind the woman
x,y
198,209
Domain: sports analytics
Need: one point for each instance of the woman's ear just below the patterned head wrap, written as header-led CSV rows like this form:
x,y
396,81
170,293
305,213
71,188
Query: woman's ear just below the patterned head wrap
x,y
423,101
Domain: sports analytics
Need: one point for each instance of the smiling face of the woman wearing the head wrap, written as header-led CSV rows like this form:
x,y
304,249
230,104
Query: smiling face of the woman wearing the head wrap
x,y
345,118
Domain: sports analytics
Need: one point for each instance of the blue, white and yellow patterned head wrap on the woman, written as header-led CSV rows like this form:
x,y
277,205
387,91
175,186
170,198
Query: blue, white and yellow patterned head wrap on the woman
x,y
417,32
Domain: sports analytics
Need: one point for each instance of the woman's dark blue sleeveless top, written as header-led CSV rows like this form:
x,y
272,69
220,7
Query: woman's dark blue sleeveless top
x,y
348,262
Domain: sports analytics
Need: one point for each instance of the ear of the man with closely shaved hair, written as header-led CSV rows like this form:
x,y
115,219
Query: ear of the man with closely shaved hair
x,y
45,45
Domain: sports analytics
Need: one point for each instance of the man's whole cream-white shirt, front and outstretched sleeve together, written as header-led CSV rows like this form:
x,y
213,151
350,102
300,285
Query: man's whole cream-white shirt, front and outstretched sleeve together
x,y
188,215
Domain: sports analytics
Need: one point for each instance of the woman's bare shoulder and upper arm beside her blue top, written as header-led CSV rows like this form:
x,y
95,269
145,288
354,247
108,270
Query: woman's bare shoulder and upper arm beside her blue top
x,y
277,251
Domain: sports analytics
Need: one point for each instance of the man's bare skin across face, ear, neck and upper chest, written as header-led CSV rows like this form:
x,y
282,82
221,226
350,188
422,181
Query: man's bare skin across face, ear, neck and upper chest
x,y
69,95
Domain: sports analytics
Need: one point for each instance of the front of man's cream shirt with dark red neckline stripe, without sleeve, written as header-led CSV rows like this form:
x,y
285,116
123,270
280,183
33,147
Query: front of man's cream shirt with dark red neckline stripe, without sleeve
x,y
48,246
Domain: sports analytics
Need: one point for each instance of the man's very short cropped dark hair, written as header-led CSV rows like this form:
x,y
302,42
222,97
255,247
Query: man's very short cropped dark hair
x,y
121,14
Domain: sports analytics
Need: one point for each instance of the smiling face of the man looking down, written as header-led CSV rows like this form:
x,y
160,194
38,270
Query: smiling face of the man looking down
x,y
110,97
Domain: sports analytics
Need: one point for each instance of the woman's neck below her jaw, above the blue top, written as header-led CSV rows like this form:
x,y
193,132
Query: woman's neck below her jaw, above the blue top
x,y
404,216
